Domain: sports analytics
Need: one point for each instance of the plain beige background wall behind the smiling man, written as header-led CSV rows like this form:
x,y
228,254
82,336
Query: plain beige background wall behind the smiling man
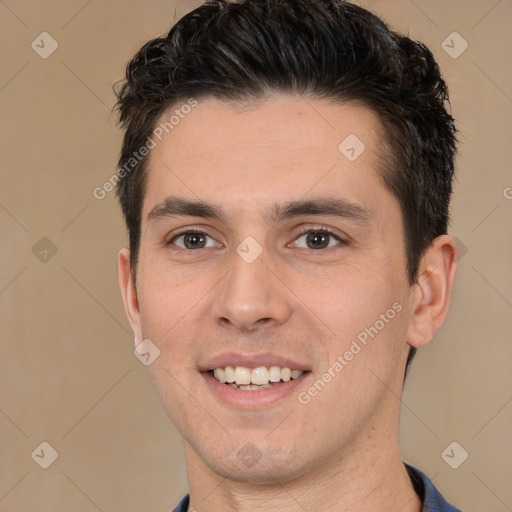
x,y
67,372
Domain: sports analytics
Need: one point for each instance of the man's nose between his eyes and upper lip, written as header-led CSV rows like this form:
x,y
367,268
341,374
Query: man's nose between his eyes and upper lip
x,y
251,296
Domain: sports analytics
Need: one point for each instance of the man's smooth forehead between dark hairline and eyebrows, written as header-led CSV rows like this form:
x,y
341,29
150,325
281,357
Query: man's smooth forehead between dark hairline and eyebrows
x,y
282,148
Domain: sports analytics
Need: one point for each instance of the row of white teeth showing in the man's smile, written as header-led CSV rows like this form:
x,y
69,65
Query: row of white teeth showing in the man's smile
x,y
259,377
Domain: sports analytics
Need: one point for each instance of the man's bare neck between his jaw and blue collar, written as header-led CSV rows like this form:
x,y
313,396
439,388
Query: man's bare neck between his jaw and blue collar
x,y
369,476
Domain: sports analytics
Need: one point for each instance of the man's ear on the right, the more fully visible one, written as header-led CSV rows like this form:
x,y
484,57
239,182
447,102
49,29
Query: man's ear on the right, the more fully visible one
x,y
432,290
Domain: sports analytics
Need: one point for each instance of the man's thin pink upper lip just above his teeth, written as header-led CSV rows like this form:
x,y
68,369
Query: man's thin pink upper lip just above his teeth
x,y
266,359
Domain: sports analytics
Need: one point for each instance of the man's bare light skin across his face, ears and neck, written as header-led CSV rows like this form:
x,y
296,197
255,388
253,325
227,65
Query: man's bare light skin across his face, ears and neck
x,y
340,451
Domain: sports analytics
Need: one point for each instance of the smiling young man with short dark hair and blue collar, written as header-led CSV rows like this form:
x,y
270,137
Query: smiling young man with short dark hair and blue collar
x,y
285,177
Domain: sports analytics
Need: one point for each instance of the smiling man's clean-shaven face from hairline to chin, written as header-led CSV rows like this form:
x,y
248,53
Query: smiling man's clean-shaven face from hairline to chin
x,y
252,290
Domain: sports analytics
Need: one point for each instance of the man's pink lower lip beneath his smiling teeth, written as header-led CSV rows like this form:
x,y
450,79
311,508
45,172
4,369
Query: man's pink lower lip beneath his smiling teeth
x,y
252,399
